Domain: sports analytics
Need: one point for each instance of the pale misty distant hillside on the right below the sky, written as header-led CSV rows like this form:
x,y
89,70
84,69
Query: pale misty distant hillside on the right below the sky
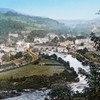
x,y
83,27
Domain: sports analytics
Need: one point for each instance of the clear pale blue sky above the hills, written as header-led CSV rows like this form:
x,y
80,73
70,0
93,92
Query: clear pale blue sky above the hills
x,y
56,9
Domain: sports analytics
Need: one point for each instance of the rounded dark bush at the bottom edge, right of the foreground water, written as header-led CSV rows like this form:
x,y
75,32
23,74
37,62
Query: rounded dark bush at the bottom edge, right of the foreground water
x,y
60,92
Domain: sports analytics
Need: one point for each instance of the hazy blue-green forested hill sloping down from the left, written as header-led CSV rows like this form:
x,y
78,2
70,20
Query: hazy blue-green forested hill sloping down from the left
x,y
12,21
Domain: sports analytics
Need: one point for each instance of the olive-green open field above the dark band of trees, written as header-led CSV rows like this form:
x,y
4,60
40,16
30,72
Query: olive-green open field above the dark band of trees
x,y
30,70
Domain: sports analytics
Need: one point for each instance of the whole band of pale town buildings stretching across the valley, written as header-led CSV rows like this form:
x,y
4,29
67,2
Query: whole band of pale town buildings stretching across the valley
x,y
65,46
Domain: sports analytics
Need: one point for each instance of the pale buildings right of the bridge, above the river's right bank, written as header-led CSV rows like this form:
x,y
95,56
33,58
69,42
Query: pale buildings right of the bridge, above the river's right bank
x,y
75,45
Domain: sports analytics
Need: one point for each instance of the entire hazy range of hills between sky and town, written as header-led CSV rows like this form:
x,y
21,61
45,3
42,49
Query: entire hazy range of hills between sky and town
x,y
15,22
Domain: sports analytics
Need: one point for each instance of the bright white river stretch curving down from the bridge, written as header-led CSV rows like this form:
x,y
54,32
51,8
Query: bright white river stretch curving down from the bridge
x,y
77,86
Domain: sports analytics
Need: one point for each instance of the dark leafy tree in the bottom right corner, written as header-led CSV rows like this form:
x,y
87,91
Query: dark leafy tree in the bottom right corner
x,y
93,91
